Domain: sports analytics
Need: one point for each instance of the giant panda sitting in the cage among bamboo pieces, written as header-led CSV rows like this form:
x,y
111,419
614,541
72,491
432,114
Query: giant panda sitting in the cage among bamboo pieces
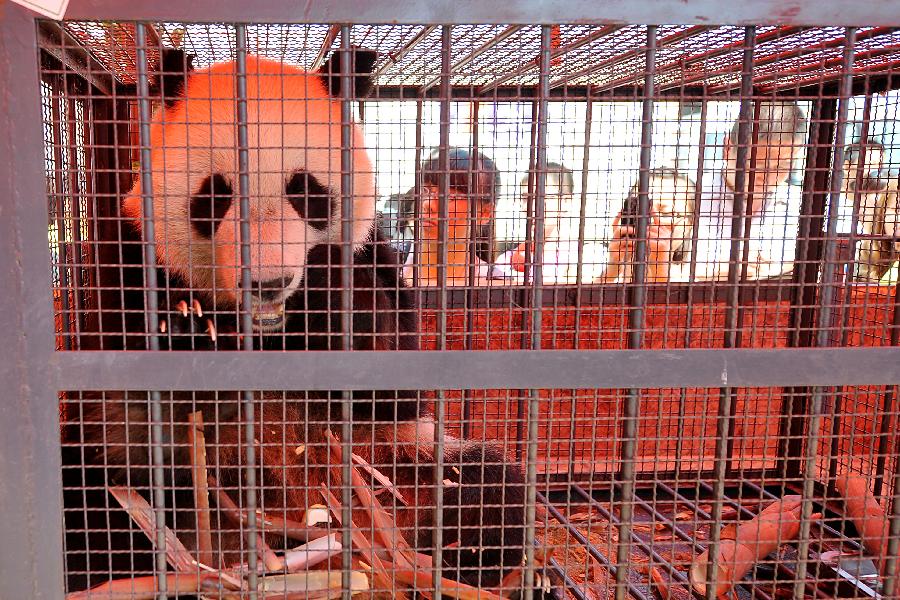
x,y
294,127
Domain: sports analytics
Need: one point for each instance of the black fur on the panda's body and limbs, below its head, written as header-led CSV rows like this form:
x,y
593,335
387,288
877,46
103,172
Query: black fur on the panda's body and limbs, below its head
x,y
106,440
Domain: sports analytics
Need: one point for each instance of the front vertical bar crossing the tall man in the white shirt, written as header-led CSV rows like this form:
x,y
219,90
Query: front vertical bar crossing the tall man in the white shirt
x,y
726,396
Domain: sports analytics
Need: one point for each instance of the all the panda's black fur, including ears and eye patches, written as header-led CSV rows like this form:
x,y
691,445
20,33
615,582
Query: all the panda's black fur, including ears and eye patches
x,y
106,436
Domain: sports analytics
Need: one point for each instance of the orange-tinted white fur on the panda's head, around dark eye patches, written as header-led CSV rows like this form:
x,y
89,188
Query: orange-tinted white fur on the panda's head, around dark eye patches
x,y
197,138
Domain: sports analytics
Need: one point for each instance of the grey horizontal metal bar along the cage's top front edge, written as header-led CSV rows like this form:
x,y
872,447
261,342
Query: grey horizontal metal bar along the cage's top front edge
x,y
523,12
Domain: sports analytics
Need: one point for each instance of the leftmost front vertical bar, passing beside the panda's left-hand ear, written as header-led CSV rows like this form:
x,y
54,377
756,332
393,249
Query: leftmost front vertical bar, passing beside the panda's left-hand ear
x,y
152,308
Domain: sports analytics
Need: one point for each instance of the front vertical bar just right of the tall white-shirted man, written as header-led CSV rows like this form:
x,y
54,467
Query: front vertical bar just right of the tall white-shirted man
x,y
814,433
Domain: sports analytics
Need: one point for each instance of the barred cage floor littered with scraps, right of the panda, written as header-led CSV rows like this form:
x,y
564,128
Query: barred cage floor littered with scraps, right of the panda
x,y
671,528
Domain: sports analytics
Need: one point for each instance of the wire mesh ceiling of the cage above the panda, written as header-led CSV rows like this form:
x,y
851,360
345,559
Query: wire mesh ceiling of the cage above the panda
x,y
484,56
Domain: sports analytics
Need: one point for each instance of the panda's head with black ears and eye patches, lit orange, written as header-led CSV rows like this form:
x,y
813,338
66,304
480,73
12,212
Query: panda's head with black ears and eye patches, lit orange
x,y
294,141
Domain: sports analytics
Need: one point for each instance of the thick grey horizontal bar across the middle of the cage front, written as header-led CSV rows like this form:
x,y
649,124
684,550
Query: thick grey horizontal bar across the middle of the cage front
x,y
488,369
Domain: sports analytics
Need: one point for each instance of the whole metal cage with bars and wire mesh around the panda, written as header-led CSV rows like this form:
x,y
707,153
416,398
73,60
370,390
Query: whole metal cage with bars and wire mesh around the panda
x,y
742,410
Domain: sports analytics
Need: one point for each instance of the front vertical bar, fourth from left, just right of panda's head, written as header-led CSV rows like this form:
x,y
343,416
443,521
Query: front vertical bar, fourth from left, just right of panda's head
x,y
443,232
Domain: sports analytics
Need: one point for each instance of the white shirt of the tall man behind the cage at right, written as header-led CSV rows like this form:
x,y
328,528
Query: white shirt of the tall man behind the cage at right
x,y
773,227
